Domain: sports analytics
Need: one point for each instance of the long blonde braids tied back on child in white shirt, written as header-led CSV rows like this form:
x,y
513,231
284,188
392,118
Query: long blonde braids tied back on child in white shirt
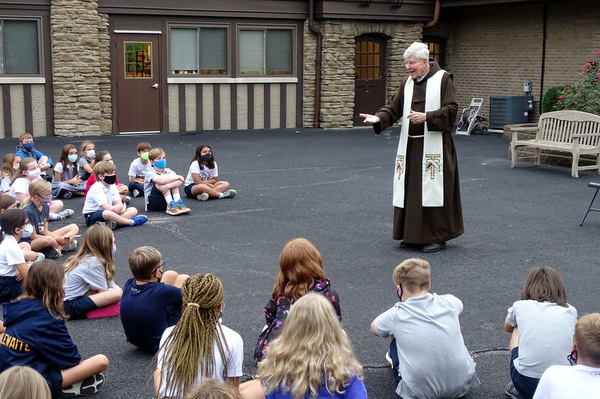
x,y
188,350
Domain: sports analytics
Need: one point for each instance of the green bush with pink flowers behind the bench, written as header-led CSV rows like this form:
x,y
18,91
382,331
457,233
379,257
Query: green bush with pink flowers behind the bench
x,y
585,94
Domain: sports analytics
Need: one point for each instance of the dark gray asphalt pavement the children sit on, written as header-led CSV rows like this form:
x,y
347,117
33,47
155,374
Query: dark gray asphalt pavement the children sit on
x,y
334,188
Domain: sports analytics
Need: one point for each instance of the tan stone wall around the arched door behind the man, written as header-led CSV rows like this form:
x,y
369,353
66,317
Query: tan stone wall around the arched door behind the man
x,y
337,80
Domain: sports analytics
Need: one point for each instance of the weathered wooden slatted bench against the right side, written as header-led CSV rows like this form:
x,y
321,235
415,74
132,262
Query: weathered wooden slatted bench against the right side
x,y
566,131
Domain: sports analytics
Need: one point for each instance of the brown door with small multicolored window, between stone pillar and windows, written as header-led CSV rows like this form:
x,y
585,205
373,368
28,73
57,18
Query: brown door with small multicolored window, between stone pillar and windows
x,y
138,84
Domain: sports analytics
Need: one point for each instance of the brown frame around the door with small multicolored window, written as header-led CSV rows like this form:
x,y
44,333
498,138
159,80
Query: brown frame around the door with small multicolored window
x,y
160,65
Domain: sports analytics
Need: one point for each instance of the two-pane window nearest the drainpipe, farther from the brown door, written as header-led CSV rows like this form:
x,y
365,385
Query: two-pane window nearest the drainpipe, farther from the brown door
x,y
265,52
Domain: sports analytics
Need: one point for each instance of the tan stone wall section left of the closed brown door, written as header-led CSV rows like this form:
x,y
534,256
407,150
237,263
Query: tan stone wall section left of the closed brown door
x,y
81,68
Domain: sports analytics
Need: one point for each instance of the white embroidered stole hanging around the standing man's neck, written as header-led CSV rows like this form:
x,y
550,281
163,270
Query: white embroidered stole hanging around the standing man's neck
x,y
433,173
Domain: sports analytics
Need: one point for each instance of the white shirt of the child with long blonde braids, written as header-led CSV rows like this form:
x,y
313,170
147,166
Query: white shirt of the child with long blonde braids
x,y
234,352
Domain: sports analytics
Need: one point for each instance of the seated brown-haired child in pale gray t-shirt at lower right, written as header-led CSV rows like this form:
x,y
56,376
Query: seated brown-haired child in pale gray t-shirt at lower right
x,y
541,326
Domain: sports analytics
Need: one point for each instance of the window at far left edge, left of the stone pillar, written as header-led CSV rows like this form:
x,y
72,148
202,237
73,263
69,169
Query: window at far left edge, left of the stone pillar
x,y
19,47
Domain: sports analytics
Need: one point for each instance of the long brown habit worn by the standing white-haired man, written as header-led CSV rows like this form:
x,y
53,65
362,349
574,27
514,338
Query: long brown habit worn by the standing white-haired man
x,y
414,223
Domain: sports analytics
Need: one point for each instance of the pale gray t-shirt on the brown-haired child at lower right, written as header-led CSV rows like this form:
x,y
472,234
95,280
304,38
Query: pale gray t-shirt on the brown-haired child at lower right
x,y
545,335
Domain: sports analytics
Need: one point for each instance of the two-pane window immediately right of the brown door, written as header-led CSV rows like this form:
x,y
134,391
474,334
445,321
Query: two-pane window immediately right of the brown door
x,y
199,51
